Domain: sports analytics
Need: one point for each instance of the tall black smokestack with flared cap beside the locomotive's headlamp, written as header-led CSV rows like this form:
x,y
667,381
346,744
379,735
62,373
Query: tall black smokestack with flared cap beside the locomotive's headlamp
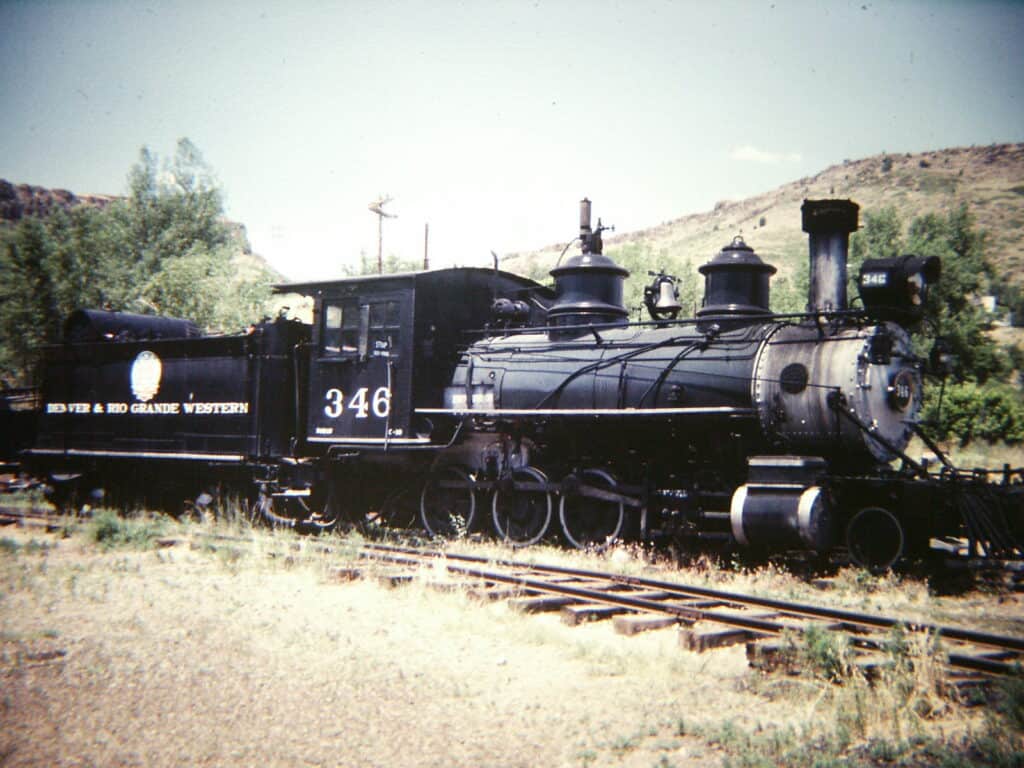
x,y
829,223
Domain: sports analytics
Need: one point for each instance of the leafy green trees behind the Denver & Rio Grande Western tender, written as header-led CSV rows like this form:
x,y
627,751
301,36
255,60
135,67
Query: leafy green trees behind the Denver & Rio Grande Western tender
x,y
164,248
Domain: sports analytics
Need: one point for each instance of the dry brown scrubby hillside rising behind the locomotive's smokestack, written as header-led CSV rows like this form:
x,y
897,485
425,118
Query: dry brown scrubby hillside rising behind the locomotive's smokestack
x,y
990,180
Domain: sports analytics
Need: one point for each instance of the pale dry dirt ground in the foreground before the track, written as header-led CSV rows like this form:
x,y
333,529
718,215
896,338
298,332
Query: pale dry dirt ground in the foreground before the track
x,y
221,656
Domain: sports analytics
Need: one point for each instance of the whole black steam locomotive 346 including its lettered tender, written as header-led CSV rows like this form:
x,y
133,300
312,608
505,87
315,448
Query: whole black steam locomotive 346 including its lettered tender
x,y
471,399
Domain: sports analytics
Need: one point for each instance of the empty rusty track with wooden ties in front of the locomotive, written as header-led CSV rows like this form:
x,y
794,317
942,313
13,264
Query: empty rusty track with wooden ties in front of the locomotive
x,y
705,619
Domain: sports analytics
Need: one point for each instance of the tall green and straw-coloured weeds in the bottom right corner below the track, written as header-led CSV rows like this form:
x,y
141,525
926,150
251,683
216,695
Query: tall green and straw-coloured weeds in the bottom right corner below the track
x,y
877,715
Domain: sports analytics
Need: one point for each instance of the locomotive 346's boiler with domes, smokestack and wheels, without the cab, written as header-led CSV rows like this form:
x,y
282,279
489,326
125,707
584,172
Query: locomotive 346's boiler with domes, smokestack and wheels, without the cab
x,y
737,425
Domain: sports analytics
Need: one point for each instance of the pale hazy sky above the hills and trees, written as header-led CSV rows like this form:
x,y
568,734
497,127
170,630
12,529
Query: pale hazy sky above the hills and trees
x,y
491,120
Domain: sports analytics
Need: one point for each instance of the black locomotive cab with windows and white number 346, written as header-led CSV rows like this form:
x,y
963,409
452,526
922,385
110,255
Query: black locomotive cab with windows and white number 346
x,y
371,334
